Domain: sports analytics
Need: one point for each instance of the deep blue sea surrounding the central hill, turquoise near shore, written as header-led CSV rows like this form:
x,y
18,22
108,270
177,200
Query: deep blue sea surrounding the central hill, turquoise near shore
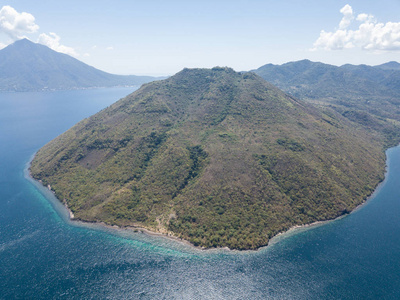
x,y
43,255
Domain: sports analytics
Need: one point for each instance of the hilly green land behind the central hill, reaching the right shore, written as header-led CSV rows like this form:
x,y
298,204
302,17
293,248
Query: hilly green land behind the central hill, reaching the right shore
x,y
368,95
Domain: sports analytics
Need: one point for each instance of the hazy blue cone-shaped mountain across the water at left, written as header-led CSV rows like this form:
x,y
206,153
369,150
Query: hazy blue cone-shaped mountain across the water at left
x,y
27,66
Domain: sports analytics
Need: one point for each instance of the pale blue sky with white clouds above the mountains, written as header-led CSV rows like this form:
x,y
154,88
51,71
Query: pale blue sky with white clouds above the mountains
x,y
162,37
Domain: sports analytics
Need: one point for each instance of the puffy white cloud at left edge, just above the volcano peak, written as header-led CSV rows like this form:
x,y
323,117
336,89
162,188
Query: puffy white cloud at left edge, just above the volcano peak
x,y
16,24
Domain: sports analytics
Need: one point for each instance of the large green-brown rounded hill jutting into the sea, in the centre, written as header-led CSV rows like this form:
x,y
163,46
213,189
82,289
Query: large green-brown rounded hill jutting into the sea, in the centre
x,y
213,156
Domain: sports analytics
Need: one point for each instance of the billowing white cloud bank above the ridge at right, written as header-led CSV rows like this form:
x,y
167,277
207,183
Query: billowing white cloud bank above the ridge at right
x,y
370,35
